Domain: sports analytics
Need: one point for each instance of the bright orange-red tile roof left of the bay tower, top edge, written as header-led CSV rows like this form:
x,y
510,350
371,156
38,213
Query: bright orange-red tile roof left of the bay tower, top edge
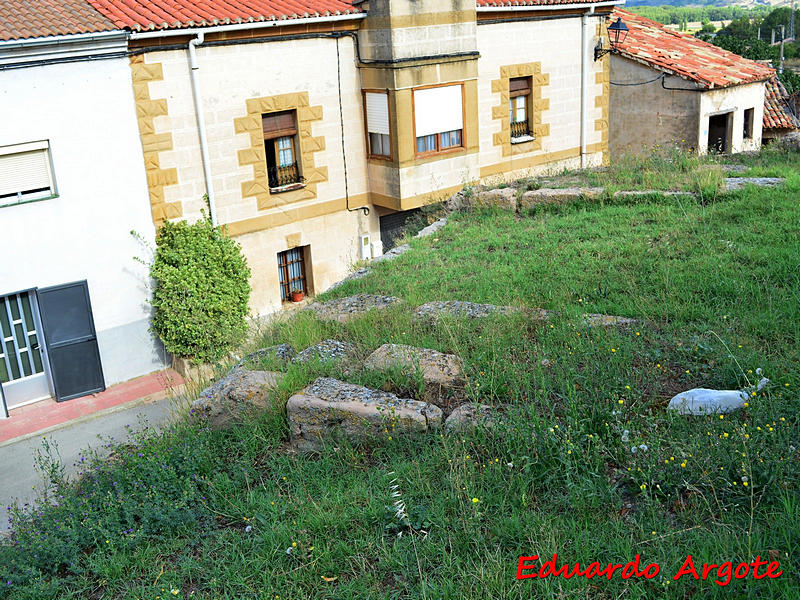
x,y
141,15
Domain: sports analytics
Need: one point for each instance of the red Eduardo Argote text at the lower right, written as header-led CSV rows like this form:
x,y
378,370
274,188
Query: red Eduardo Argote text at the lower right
x,y
722,574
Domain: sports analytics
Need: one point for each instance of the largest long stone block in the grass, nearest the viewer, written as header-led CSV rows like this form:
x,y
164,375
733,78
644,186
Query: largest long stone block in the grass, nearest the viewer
x,y
329,408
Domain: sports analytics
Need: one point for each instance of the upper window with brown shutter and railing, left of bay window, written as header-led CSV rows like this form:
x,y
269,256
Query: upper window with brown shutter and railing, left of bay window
x,y
280,145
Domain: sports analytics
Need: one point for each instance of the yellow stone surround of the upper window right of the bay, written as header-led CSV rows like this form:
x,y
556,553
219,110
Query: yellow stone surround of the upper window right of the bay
x,y
538,106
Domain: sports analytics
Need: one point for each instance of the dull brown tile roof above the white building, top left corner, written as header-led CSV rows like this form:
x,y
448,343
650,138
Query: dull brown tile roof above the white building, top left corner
x,y
20,19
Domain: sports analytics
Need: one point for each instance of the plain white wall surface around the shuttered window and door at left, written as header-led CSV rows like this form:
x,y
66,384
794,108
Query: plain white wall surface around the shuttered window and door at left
x,y
86,111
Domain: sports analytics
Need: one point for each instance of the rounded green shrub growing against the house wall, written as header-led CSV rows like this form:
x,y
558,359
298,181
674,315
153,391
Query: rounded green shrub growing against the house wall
x,y
202,289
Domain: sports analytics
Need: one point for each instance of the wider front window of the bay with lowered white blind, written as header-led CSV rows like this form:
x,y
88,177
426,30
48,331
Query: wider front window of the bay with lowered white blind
x,y
439,118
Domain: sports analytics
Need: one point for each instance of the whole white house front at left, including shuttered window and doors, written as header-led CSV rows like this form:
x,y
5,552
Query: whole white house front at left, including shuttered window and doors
x,y
73,300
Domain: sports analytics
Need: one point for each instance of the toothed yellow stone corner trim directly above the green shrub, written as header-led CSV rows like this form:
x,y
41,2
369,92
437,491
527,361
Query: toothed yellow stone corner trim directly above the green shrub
x,y
153,143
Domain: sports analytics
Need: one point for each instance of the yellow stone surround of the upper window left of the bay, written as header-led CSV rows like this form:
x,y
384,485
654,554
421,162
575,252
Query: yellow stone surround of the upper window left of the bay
x,y
255,155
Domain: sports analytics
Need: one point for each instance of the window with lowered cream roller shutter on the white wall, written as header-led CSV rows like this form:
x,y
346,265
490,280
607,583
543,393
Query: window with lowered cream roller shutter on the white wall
x,y
26,173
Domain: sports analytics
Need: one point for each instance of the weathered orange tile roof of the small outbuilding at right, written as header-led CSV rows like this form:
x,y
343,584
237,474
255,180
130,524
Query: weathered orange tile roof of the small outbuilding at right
x,y
686,56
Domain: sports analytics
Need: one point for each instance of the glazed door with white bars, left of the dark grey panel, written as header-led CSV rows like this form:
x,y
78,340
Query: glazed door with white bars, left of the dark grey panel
x,y
22,360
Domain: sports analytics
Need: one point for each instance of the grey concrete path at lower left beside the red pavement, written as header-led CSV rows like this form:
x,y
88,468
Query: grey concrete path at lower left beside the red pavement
x,y
18,477
